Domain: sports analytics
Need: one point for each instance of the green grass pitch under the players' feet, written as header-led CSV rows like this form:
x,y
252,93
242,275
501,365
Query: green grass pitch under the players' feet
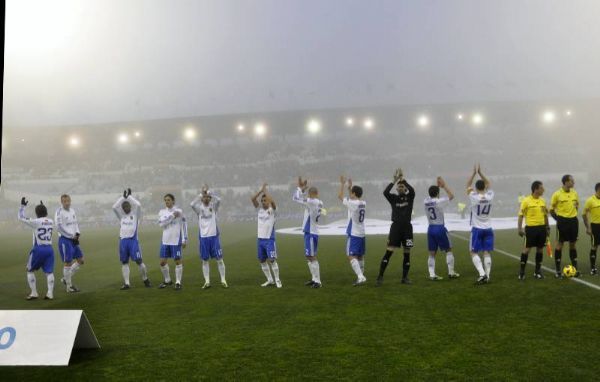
x,y
448,330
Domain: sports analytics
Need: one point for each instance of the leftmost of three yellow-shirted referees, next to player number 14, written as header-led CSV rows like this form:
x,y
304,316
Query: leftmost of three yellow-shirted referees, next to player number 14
x,y
533,211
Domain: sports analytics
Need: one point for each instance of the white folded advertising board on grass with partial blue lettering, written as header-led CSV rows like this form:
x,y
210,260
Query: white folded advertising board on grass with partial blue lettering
x,y
43,337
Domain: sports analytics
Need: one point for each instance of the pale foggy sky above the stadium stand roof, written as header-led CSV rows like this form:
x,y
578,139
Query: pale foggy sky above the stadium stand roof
x,y
77,62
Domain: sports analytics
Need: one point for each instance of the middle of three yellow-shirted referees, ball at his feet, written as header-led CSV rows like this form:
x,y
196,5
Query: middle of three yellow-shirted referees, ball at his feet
x,y
563,208
